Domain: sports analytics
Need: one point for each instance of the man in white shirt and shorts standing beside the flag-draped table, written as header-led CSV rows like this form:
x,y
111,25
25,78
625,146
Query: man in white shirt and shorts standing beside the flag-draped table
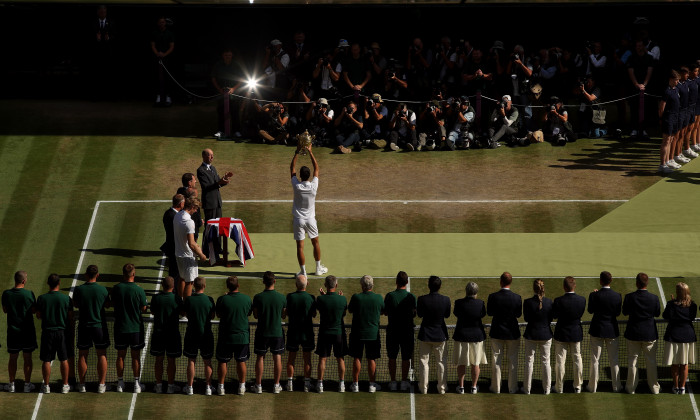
x,y
186,247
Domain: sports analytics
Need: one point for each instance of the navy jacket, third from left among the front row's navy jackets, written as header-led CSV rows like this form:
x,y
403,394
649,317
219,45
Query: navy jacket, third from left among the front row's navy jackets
x,y
505,307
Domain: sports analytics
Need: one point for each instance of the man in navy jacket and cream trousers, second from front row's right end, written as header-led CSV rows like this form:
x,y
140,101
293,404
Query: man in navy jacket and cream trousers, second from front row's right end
x,y
641,334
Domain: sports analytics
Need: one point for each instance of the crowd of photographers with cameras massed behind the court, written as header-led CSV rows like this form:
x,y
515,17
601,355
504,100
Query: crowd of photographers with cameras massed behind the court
x,y
443,97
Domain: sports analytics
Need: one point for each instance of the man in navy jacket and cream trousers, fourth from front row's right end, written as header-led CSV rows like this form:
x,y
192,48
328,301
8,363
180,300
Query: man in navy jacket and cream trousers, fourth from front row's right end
x,y
568,334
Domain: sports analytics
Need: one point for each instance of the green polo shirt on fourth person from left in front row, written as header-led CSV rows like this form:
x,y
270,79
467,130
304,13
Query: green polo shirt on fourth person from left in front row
x,y
128,299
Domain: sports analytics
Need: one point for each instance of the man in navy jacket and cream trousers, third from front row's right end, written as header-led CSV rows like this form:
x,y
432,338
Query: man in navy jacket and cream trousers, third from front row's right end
x,y
605,305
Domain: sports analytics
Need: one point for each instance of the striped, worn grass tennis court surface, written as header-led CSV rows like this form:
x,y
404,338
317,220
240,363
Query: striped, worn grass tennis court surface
x,y
73,199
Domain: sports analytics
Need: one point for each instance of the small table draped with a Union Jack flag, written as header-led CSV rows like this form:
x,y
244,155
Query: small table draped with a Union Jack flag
x,y
227,227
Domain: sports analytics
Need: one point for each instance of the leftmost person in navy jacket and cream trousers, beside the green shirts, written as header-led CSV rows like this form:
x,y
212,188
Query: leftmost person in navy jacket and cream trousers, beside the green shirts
x,y
433,308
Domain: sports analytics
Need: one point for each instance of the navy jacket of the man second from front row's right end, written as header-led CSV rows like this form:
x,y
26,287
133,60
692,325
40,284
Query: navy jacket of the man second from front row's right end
x,y
641,306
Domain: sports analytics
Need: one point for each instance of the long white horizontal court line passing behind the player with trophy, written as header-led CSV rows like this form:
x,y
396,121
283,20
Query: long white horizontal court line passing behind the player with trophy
x,y
389,201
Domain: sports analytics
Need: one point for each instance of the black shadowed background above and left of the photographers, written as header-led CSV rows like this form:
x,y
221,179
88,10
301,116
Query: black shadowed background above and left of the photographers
x,y
46,48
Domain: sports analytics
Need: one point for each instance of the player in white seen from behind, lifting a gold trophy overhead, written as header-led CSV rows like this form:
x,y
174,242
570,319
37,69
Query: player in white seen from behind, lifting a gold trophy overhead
x,y
304,211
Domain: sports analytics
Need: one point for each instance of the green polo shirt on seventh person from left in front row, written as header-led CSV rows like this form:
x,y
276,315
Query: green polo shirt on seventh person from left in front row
x,y
233,310
